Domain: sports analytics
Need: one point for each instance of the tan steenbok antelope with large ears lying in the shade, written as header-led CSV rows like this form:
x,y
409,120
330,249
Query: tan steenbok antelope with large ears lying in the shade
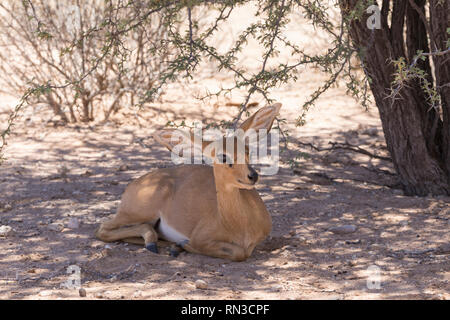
x,y
213,211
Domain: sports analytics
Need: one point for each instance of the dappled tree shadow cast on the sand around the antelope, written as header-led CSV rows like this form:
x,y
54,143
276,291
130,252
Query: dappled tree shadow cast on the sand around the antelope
x,y
300,259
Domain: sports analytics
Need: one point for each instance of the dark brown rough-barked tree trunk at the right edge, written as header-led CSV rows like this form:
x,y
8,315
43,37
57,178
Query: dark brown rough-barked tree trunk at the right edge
x,y
417,138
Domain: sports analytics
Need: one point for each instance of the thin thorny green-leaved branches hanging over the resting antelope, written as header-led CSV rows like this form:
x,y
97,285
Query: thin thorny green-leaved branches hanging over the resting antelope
x,y
192,44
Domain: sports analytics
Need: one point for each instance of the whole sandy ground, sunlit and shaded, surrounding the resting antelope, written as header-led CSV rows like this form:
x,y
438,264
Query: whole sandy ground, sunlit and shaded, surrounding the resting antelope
x,y
54,175
